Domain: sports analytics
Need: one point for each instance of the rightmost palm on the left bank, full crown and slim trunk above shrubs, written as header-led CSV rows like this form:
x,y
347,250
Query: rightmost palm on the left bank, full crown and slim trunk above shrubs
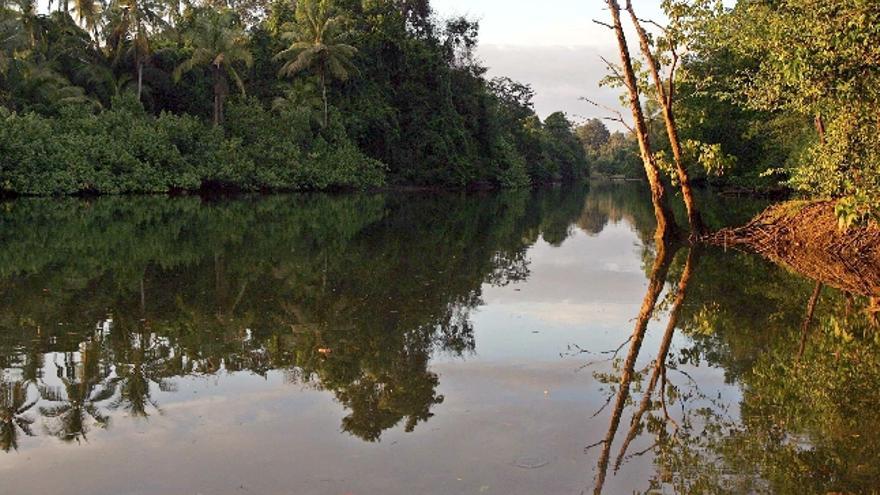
x,y
315,45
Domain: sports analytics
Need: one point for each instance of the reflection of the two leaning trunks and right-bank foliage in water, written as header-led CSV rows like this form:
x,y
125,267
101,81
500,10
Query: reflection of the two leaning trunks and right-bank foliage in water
x,y
805,359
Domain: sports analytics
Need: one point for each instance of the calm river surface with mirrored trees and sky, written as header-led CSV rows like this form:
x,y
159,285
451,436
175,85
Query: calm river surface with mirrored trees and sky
x,y
418,344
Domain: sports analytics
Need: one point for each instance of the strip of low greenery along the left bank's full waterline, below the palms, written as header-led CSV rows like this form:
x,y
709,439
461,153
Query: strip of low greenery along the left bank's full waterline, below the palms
x,y
125,149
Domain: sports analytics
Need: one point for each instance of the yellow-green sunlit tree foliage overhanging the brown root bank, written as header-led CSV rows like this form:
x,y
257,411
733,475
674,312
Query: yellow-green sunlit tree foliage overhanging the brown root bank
x,y
815,61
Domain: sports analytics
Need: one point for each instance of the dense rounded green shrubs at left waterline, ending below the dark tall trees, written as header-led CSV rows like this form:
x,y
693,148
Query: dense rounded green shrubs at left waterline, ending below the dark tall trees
x,y
123,149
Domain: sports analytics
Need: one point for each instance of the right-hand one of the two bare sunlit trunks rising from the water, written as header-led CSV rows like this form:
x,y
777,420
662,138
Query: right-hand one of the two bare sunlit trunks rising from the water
x,y
666,98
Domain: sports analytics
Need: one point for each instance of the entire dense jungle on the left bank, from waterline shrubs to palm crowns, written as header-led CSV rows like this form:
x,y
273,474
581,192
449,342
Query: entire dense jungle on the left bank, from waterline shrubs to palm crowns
x,y
131,96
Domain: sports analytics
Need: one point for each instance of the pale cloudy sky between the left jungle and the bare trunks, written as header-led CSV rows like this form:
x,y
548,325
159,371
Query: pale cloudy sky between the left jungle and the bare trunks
x,y
553,45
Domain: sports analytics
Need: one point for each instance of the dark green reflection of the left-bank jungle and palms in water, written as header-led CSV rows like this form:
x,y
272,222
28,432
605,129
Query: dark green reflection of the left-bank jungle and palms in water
x,y
350,294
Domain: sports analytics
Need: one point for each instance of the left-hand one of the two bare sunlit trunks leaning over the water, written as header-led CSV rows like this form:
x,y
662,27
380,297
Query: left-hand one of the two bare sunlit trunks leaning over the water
x,y
658,194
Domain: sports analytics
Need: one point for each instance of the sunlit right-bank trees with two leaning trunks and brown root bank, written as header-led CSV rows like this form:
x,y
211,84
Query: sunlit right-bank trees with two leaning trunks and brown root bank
x,y
834,241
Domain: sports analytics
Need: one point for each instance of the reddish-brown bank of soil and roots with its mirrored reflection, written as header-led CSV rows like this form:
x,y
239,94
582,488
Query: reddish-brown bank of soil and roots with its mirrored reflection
x,y
804,237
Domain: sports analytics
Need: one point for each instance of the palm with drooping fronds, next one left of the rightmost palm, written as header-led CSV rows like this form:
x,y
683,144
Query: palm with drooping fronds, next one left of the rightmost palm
x,y
219,41
